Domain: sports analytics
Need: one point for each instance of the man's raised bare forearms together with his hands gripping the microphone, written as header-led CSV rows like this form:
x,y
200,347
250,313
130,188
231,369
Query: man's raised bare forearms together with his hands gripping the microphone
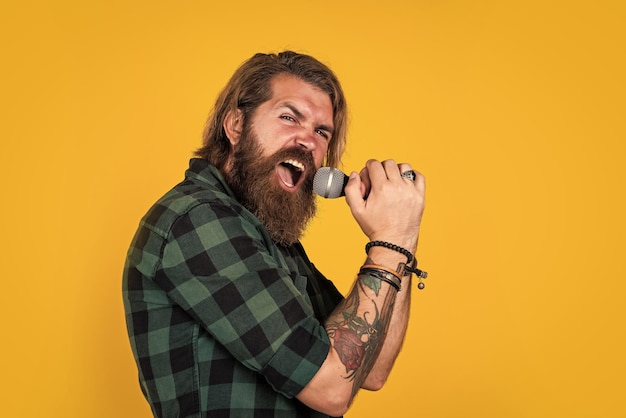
x,y
367,329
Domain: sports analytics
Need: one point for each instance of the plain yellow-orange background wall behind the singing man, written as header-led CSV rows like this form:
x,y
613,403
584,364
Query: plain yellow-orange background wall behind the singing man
x,y
514,111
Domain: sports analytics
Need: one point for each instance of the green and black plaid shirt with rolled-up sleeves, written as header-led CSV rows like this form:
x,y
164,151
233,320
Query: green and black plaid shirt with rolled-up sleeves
x,y
222,321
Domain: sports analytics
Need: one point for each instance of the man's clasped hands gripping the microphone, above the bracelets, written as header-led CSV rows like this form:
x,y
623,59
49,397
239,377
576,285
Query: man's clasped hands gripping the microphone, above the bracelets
x,y
386,206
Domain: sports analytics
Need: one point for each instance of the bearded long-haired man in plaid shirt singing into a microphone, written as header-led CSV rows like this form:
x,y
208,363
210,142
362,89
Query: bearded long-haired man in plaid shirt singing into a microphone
x,y
226,315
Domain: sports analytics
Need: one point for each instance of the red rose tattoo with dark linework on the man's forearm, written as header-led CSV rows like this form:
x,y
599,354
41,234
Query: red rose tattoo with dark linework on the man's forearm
x,y
358,337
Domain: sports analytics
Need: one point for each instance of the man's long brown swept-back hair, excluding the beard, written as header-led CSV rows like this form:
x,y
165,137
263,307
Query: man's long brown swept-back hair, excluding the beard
x,y
250,86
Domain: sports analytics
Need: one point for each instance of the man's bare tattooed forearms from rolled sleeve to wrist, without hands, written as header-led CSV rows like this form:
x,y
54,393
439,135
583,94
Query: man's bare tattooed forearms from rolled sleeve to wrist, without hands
x,y
363,345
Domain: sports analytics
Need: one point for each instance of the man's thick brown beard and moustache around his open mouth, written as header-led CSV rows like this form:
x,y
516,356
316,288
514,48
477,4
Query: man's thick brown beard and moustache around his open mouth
x,y
253,179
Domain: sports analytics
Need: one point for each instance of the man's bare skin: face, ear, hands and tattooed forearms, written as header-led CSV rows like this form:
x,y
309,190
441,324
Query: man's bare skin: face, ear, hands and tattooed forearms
x,y
366,331
